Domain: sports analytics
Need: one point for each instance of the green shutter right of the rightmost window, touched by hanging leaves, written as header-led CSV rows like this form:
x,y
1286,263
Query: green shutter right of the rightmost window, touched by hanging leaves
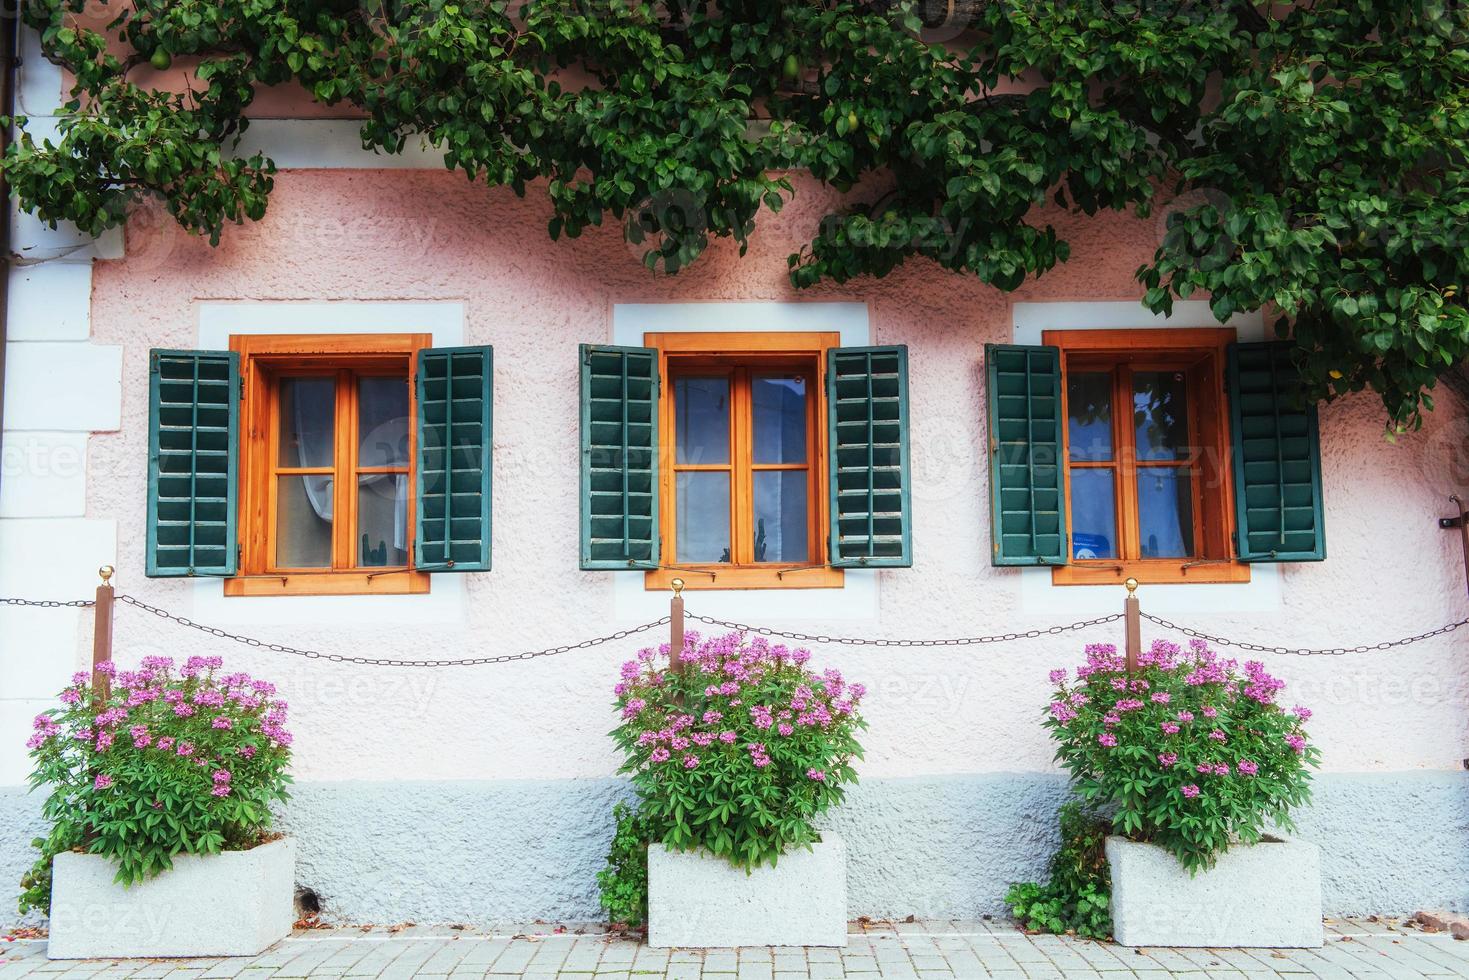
x,y
1277,458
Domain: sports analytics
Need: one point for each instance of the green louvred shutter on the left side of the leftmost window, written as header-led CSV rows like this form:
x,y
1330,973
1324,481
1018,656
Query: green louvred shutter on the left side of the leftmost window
x,y
193,462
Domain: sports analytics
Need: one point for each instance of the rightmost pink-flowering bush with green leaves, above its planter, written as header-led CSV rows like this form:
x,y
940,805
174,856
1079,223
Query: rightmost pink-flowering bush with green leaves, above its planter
x,y
1191,752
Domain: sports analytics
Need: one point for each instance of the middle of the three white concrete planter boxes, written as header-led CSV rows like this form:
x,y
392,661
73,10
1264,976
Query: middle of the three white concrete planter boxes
x,y
699,901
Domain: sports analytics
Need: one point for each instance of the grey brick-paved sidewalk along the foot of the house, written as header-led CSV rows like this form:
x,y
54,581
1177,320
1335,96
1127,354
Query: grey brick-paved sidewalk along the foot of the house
x,y
881,951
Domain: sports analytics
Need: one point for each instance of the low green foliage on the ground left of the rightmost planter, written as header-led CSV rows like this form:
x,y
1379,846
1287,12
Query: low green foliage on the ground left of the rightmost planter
x,y
1078,896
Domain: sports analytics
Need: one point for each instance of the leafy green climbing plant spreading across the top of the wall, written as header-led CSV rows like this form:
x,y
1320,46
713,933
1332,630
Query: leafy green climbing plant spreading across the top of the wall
x,y
1308,158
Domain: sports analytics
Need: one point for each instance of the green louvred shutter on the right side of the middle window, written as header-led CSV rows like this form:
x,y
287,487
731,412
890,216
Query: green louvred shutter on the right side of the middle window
x,y
867,427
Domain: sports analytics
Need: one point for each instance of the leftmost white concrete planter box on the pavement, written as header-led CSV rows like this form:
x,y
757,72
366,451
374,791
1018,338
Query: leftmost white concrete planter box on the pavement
x,y
231,904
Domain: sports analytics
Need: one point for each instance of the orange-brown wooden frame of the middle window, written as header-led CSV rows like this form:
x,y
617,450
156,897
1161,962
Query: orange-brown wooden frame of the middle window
x,y
740,353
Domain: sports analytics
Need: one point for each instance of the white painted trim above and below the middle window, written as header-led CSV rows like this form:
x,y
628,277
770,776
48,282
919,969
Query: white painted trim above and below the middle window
x,y
857,599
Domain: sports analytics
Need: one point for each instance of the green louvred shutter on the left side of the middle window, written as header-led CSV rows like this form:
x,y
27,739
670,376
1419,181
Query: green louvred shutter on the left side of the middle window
x,y
619,458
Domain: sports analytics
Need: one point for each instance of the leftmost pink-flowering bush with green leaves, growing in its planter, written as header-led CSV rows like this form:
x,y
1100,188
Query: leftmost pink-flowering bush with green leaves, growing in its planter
x,y
173,762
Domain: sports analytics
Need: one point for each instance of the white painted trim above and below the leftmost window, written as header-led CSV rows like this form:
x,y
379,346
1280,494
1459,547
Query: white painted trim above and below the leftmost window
x,y
446,602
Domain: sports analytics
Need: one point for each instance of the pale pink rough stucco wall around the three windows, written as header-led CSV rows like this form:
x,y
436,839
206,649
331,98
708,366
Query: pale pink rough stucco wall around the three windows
x,y
422,236
